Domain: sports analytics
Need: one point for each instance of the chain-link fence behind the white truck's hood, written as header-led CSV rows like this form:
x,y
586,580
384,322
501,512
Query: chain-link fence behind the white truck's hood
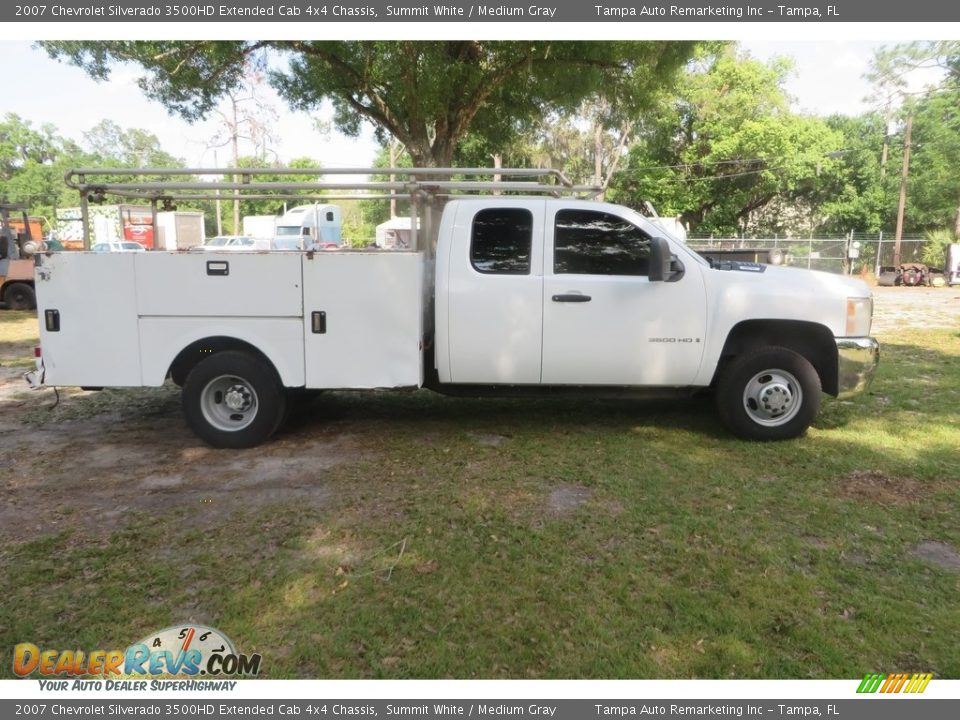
x,y
847,254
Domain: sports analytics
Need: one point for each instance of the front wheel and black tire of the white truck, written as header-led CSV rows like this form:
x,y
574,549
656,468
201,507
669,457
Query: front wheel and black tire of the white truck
x,y
770,393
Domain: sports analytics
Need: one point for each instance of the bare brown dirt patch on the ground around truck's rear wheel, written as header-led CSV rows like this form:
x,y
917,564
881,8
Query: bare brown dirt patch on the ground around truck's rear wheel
x,y
100,473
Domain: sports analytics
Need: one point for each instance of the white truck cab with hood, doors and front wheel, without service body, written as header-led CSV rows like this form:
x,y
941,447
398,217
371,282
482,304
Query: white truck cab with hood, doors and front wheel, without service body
x,y
582,294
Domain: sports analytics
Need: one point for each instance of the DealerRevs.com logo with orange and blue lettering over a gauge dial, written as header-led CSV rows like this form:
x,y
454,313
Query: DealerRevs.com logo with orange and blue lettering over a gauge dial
x,y
188,651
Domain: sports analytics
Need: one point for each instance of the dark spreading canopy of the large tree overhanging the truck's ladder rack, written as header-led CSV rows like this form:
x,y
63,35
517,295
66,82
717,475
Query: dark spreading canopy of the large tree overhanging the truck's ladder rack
x,y
427,95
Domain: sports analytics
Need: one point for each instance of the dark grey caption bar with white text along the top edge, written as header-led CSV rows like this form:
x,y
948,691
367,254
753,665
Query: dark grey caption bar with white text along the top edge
x,y
465,11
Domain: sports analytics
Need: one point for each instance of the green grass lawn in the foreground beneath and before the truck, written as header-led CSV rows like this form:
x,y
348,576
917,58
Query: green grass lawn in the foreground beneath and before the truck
x,y
552,539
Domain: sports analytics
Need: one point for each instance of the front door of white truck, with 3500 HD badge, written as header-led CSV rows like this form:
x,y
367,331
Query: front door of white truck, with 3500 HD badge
x,y
604,322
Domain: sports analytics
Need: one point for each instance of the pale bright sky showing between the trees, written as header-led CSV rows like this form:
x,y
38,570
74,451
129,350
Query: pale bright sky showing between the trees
x,y
827,78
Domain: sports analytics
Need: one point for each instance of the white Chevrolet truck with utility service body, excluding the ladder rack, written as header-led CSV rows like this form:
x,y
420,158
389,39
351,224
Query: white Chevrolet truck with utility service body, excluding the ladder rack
x,y
524,293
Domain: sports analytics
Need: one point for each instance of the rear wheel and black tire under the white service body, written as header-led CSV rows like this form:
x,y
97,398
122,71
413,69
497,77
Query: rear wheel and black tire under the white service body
x,y
254,409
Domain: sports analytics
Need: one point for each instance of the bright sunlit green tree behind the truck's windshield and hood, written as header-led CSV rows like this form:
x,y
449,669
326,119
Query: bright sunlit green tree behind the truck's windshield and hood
x,y
727,148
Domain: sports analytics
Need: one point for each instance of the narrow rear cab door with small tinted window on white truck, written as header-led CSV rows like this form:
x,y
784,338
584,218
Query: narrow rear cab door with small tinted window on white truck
x,y
489,276
